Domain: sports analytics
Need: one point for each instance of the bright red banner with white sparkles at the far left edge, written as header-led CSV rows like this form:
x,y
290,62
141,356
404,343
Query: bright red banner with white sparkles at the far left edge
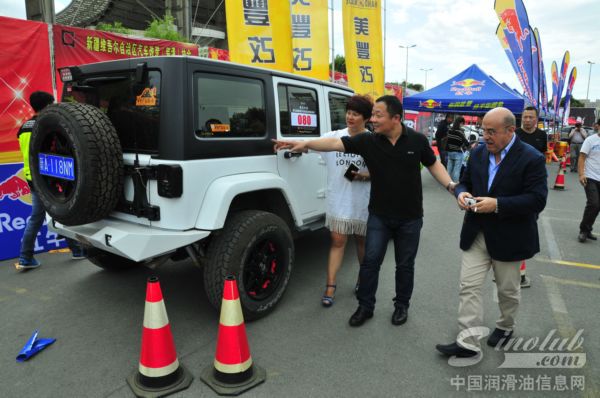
x,y
25,68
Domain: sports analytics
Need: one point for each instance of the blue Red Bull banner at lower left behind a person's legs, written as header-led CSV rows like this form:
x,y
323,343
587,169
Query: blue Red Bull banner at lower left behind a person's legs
x,y
15,210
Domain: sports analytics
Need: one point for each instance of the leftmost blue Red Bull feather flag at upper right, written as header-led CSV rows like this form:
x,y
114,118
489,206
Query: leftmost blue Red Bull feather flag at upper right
x,y
515,23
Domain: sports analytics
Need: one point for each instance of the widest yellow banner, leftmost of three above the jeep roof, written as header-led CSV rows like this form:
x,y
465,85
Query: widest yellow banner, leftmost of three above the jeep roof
x,y
259,33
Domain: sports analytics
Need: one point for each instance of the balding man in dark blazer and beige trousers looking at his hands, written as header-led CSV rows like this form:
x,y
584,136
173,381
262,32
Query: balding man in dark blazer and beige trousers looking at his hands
x,y
503,189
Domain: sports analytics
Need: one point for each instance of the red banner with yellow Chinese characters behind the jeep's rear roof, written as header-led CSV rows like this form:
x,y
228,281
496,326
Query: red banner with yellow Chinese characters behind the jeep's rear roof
x,y
75,46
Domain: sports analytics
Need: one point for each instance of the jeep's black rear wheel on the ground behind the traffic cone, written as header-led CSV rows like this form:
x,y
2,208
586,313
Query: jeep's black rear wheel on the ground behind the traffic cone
x,y
247,237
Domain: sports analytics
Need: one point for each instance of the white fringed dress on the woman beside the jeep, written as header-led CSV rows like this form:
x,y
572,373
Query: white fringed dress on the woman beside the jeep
x,y
347,202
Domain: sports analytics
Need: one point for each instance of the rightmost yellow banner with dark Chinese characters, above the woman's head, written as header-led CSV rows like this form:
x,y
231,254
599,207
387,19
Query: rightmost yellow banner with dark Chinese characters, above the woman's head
x,y
362,46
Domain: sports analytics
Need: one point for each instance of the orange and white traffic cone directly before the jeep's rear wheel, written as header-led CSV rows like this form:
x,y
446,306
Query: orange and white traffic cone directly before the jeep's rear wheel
x,y
233,371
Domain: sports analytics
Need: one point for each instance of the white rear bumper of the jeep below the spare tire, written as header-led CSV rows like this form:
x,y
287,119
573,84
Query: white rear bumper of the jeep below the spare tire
x,y
133,241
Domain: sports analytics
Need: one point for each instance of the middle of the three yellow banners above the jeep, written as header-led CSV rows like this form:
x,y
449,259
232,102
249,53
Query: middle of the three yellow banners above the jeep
x,y
310,38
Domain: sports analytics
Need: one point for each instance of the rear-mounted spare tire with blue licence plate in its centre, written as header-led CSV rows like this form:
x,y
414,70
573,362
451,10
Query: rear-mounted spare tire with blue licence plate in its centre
x,y
82,137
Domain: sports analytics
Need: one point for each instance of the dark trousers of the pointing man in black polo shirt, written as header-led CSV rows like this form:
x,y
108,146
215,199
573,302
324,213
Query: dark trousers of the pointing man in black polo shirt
x,y
380,230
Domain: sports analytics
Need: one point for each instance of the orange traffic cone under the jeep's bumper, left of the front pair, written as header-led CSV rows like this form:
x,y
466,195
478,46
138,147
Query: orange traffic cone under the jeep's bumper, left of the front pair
x,y
159,373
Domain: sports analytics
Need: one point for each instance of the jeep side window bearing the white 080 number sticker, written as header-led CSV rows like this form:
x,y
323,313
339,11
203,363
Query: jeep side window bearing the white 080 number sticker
x,y
298,111
